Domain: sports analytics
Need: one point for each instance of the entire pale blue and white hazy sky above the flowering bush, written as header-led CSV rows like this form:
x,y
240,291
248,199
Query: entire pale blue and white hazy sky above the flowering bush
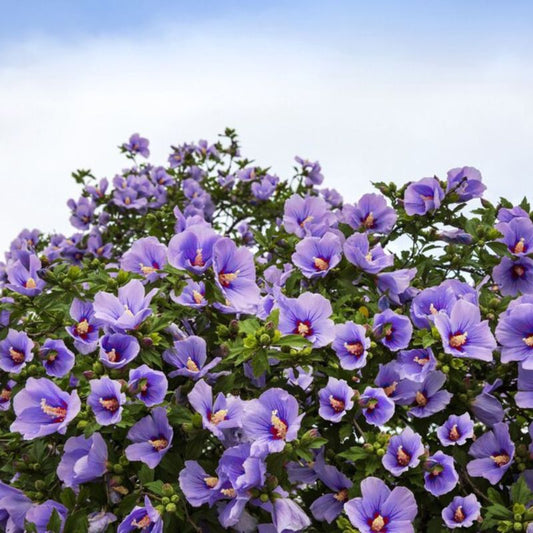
x,y
382,90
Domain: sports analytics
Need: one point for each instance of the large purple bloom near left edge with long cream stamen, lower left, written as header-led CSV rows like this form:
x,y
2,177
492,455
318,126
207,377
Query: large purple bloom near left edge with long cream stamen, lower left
x,y
42,408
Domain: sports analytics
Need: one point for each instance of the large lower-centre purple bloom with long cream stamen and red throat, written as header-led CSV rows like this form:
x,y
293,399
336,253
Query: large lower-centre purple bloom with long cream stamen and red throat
x,y
271,420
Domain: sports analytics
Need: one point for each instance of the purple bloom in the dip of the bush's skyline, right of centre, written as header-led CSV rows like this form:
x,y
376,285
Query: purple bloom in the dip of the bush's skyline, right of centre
x,y
370,213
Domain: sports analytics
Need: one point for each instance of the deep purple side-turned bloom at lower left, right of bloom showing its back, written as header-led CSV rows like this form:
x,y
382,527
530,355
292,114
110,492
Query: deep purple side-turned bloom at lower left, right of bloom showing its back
x,y
151,437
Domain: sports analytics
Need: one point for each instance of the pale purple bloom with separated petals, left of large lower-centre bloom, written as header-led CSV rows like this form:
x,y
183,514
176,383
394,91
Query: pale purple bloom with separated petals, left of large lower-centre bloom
x,y
225,412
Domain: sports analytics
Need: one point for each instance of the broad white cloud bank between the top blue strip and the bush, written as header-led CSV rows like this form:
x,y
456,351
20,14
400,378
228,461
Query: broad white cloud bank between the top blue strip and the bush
x,y
364,118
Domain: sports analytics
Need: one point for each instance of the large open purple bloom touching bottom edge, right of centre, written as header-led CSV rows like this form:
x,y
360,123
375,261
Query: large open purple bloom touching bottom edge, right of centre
x,y
380,509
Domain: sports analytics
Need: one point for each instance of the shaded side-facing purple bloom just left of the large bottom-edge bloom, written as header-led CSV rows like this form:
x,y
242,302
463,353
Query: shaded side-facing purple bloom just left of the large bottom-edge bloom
x,y
329,506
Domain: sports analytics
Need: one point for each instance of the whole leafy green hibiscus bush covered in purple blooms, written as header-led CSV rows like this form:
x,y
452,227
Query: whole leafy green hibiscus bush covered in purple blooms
x,y
217,348
